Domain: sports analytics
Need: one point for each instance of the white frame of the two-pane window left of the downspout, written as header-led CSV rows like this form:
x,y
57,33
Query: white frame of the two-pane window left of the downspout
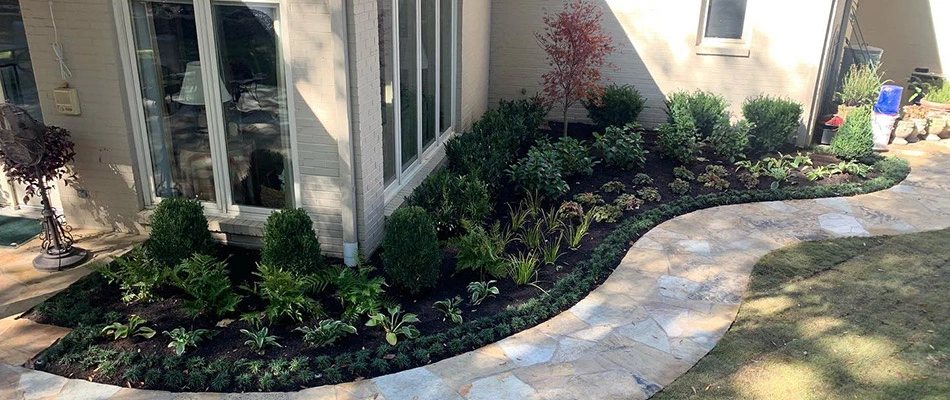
x,y
223,206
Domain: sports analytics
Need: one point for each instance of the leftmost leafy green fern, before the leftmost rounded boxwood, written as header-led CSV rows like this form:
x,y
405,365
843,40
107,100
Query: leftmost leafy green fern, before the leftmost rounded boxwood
x,y
137,276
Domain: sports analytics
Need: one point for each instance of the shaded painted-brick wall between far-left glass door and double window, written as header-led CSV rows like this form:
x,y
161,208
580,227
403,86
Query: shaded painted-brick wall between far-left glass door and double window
x,y
104,159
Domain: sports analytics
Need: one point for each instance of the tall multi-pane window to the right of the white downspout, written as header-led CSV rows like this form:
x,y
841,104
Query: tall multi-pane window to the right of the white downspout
x,y
417,64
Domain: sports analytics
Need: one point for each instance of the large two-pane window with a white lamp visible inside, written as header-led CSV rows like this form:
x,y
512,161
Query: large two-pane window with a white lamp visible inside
x,y
212,92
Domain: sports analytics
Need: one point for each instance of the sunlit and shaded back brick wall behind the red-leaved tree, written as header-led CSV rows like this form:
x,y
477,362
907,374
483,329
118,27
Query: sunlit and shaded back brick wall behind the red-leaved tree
x,y
657,51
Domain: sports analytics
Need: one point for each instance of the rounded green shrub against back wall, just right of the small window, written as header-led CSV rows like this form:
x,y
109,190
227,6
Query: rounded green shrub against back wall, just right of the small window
x,y
774,122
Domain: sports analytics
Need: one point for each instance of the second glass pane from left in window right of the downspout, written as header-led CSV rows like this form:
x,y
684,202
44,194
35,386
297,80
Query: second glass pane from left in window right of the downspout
x,y
408,82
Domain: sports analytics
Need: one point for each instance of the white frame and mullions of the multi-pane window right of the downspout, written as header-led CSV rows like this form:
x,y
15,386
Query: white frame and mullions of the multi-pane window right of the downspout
x,y
424,154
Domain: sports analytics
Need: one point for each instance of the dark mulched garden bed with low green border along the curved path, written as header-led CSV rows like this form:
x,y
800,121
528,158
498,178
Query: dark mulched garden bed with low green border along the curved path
x,y
92,302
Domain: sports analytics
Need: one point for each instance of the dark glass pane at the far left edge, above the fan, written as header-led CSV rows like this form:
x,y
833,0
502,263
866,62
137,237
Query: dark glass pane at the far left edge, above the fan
x,y
16,69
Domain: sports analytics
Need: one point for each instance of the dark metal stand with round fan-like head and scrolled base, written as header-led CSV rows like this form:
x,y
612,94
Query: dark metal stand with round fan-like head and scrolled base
x,y
22,140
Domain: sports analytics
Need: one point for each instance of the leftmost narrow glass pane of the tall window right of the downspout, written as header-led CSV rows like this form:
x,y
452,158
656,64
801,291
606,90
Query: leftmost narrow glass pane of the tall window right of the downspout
x,y
385,21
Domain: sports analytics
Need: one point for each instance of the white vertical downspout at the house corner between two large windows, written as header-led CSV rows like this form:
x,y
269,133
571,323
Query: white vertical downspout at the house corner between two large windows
x,y
345,143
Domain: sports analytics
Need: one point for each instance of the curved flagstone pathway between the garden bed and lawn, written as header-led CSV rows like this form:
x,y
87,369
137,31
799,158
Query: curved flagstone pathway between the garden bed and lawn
x,y
671,299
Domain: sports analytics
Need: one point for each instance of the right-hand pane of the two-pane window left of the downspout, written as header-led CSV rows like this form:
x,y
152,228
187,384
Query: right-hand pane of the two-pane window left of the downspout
x,y
255,105
